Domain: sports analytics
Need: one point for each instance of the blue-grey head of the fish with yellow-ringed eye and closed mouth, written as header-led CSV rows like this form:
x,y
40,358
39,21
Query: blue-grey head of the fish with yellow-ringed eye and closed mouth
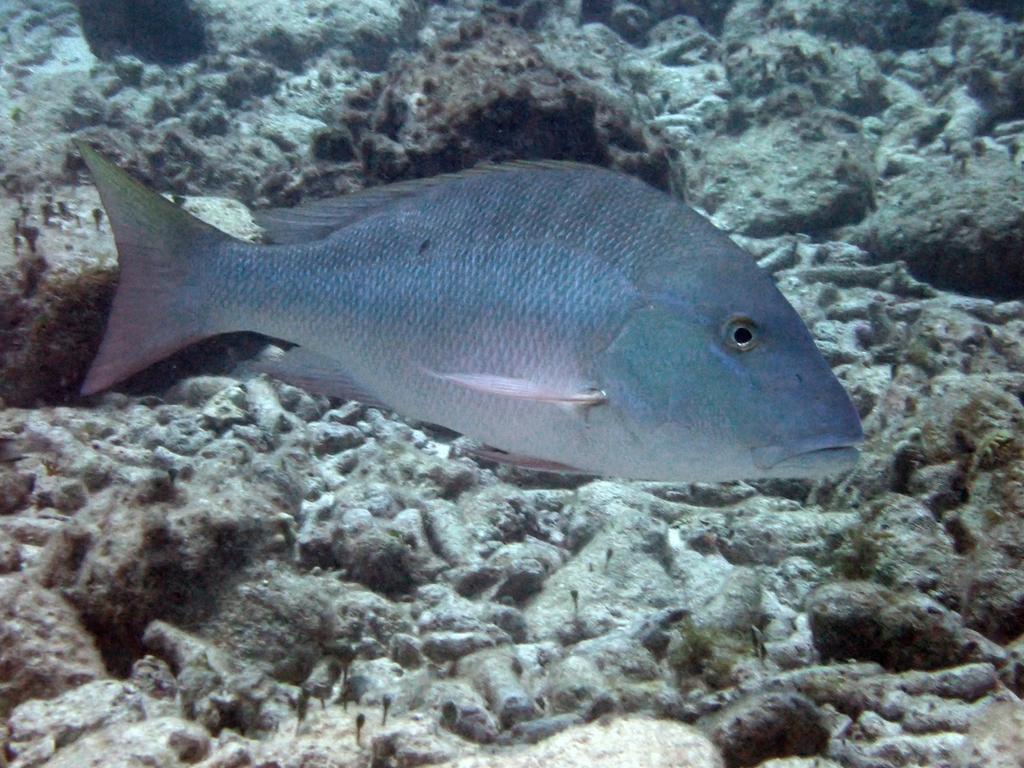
x,y
727,385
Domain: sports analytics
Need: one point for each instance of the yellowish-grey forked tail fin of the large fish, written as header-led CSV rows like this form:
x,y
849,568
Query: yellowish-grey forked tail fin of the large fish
x,y
158,308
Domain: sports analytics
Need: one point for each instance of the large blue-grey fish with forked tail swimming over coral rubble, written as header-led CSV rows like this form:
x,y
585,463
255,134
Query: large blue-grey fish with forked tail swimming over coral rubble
x,y
568,318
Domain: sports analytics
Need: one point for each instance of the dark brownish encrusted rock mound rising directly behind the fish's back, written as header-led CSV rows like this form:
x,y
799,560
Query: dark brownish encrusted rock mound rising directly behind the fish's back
x,y
488,93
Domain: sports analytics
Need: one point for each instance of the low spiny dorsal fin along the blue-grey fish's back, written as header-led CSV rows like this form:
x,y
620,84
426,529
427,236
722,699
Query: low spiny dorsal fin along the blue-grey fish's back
x,y
318,220
